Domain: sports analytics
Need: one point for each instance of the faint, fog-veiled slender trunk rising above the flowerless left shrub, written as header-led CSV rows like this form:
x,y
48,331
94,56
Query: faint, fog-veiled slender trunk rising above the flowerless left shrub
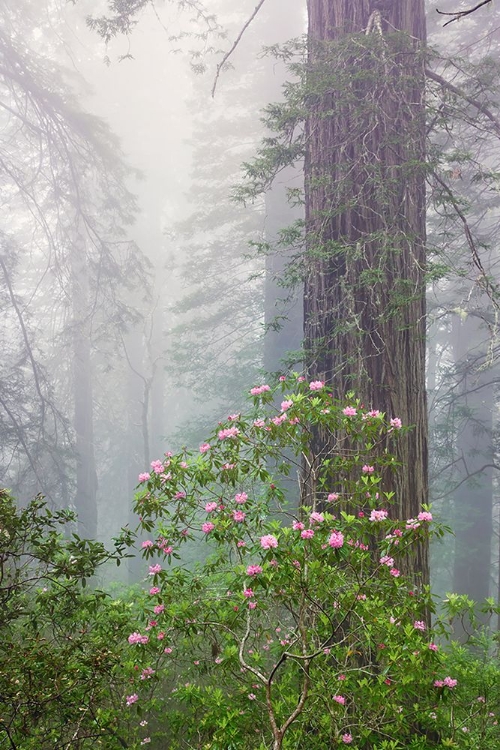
x,y
86,475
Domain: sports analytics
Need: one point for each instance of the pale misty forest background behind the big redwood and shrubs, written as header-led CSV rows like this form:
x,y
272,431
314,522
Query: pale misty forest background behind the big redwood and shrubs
x,y
140,299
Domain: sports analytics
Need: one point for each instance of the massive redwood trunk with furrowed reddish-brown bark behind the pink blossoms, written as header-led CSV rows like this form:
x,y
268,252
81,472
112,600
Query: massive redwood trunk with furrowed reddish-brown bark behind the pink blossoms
x,y
364,301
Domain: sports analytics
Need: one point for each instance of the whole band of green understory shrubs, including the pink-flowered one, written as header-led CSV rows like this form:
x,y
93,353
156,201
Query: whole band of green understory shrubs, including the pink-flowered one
x,y
306,625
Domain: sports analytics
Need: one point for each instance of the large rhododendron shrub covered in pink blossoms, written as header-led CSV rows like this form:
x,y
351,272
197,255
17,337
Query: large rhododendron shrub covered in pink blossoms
x,y
301,629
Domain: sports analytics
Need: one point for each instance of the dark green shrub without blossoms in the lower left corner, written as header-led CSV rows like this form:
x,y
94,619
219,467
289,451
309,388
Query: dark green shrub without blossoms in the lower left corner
x,y
63,665
